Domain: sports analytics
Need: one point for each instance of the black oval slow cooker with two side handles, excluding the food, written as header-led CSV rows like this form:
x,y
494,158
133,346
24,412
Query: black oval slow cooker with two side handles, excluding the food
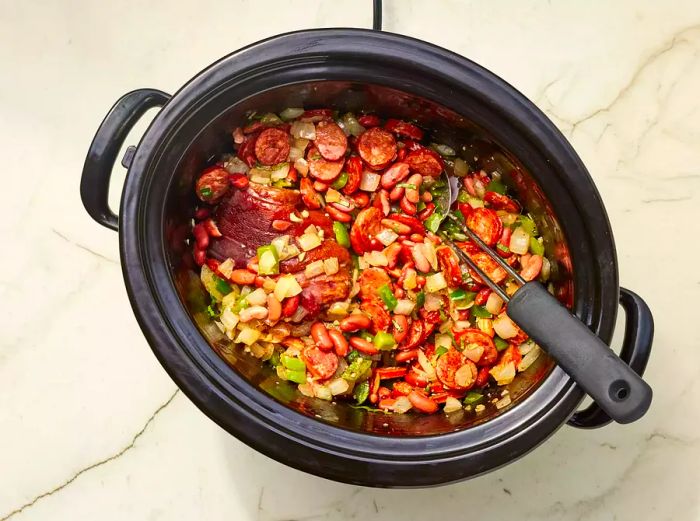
x,y
352,69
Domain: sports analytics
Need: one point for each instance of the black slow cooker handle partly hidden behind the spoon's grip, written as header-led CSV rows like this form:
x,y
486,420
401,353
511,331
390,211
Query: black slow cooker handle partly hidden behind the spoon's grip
x,y
636,349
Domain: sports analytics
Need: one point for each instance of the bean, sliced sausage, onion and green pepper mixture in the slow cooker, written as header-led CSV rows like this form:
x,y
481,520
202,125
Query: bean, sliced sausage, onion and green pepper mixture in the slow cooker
x,y
320,244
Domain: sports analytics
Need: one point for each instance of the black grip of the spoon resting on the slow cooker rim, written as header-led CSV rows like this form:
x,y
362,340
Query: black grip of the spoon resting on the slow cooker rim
x,y
614,386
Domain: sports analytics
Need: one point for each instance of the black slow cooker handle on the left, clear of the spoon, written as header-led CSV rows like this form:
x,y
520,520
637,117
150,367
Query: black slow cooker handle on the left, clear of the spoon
x,y
105,146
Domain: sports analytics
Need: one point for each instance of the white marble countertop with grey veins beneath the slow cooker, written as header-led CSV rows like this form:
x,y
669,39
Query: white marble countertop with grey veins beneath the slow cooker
x,y
91,427
